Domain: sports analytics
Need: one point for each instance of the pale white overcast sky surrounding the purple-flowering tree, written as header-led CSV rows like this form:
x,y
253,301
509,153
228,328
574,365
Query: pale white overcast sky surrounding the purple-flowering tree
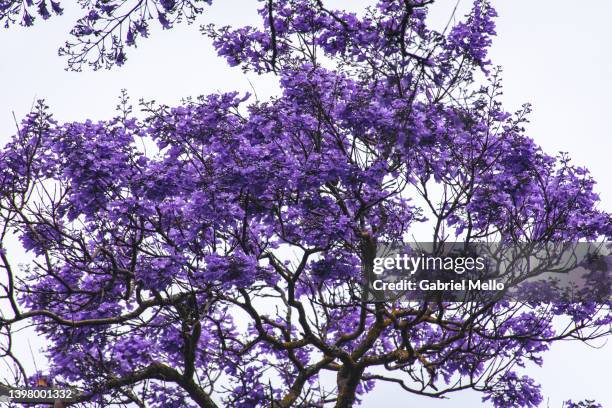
x,y
555,54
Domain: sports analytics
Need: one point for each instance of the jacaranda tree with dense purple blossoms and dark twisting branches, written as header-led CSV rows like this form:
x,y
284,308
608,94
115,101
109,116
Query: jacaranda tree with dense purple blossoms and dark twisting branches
x,y
210,254
